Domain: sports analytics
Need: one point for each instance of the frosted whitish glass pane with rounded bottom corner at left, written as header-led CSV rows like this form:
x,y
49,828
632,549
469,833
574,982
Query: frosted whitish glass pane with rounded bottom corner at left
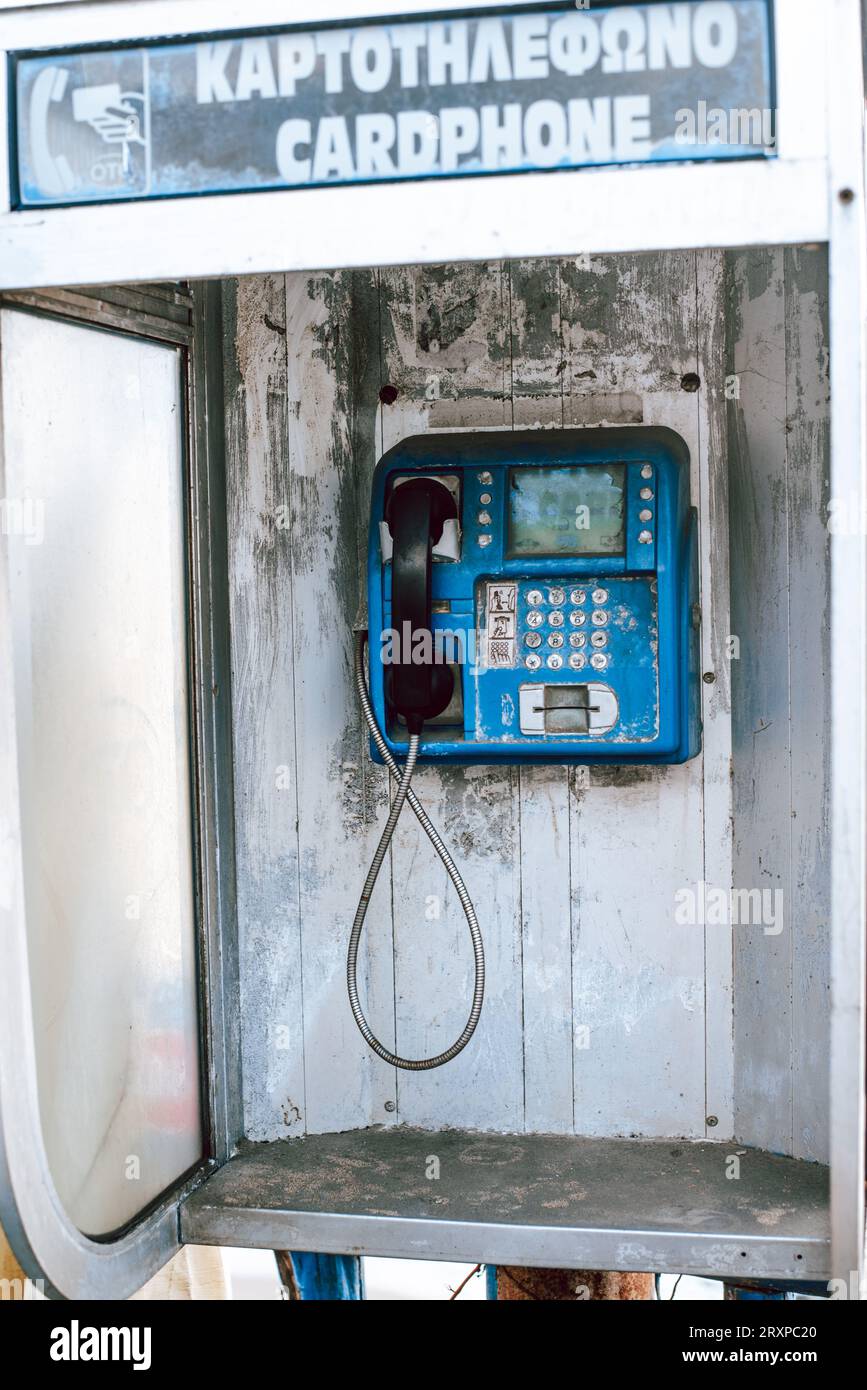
x,y
95,521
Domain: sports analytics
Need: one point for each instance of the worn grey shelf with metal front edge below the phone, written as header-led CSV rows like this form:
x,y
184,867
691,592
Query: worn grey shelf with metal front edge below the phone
x,y
526,1200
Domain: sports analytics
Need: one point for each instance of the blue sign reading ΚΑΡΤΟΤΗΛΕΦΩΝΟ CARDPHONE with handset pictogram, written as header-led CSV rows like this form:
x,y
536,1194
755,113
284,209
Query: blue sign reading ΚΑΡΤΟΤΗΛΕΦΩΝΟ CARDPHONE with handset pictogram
x,y
336,105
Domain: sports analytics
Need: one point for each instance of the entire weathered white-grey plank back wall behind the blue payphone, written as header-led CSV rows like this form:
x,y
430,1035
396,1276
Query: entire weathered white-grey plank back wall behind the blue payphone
x,y
605,1015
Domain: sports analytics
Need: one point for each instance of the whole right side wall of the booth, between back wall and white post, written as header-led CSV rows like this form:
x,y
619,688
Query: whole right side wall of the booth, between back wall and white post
x,y
782,692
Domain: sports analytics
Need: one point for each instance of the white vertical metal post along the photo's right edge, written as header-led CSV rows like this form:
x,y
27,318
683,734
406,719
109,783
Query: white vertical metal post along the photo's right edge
x,y
850,635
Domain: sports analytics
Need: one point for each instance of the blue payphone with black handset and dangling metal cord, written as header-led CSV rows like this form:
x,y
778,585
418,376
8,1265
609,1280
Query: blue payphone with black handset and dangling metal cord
x,y
533,598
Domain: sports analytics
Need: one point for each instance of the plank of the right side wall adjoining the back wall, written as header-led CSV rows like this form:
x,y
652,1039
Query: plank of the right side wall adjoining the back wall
x,y
761,694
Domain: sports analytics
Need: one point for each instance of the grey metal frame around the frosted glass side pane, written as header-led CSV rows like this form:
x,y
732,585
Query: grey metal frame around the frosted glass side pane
x,y
47,1242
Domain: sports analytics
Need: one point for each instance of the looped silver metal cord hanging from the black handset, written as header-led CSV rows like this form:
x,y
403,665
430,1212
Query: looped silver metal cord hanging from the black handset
x,y
405,794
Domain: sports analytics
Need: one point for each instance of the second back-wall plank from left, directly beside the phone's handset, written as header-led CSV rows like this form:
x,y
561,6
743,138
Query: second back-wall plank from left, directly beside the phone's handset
x,y
333,373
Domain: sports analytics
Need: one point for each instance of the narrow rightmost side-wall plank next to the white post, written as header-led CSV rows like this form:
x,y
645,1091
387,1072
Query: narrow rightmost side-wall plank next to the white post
x,y
809,441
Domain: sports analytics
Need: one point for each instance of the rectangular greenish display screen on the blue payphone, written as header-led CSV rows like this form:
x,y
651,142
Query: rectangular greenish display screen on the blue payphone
x,y
568,511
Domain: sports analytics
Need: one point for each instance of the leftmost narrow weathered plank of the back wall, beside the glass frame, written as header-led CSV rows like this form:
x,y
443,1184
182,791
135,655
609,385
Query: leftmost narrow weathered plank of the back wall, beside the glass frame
x,y
263,711
